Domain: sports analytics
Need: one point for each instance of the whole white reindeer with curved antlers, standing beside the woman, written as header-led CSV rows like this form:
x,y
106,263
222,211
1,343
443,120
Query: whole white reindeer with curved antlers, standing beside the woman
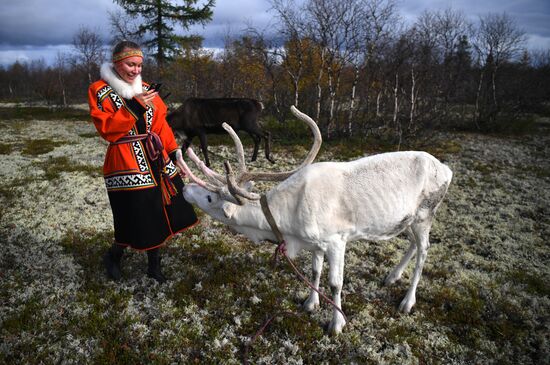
x,y
322,206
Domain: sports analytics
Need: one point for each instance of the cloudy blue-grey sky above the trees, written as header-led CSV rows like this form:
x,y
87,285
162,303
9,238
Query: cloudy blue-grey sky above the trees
x,y
33,29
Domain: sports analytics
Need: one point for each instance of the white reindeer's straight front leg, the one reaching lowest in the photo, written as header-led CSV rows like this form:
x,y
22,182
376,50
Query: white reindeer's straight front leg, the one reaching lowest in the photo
x,y
335,256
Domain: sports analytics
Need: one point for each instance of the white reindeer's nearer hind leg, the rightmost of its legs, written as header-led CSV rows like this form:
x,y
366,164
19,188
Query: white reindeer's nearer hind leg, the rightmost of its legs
x,y
421,232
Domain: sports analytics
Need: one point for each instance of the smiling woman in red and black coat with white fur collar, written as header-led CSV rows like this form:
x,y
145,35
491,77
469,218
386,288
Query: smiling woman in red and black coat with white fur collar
x,y
142,182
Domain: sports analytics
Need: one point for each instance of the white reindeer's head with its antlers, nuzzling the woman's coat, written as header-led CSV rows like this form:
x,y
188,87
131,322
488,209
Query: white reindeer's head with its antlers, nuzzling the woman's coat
x,y
221,196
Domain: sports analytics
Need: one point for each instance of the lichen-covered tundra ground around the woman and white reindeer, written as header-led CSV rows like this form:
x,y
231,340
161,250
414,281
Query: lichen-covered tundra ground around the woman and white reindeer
x,y
484,296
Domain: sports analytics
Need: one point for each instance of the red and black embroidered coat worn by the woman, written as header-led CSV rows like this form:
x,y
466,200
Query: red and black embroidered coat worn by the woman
x,y
132,176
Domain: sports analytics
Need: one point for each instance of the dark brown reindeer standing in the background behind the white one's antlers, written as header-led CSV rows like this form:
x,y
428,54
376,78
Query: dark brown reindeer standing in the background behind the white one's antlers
x,y
199,117
